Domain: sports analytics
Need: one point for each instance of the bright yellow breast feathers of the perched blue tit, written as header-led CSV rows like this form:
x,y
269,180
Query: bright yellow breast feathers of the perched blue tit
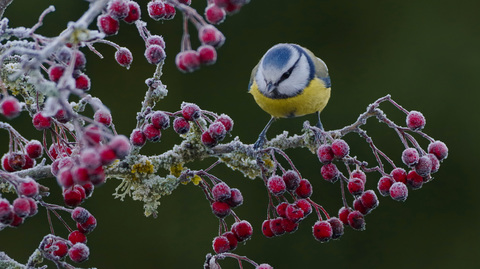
x,y
313,98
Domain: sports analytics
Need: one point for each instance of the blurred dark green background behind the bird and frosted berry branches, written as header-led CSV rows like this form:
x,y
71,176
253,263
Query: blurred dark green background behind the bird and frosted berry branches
x,y
424,53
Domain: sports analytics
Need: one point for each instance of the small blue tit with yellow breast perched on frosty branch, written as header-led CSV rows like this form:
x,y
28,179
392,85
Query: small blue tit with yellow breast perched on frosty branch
x,y
289,81
